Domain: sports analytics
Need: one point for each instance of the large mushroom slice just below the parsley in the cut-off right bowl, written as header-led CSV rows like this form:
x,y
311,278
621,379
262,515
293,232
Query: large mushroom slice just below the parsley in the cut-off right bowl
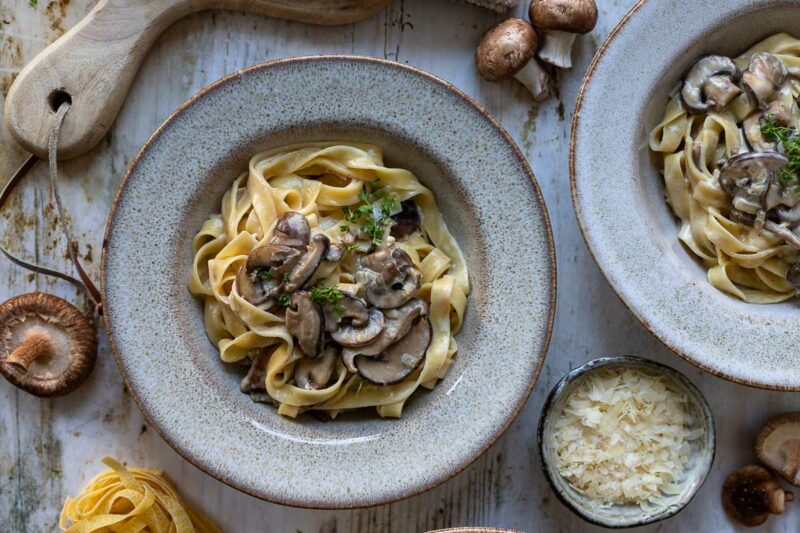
x,y
746,177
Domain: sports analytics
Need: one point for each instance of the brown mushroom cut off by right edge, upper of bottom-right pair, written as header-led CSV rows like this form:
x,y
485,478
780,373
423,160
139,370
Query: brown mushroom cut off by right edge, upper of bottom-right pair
x,y
778,446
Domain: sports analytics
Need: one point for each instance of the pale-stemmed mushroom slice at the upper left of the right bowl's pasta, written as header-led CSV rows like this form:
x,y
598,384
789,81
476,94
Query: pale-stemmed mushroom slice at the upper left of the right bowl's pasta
x,y
698,81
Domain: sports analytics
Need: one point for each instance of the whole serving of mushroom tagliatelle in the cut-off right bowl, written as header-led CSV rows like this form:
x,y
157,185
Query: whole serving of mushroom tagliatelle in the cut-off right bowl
x,y
730,154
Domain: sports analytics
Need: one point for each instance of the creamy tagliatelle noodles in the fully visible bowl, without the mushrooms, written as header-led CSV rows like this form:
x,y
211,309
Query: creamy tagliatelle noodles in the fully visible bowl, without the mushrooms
x,y
331,185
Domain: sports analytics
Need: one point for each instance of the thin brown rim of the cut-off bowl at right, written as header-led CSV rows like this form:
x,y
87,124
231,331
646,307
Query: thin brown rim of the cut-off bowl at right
x,y
662,337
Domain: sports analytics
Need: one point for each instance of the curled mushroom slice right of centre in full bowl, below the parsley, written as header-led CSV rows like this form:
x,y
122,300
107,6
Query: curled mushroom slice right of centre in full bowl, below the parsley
x,y
397,280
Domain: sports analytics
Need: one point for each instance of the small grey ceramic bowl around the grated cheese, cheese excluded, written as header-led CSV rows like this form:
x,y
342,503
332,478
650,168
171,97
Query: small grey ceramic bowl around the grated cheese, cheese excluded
x,y
619,516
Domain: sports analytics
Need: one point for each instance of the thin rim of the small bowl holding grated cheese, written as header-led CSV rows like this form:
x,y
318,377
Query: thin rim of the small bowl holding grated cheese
x,y
630,361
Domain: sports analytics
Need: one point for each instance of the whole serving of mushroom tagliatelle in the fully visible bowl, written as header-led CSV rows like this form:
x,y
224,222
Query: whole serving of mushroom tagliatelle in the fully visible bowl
x,y
333,277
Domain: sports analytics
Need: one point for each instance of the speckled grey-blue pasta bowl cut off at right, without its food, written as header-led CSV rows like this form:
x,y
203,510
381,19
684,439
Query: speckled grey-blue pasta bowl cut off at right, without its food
x,y
618,192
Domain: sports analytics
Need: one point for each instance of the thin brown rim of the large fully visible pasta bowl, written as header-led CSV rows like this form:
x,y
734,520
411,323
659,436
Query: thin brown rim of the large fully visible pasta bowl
x,y
489,440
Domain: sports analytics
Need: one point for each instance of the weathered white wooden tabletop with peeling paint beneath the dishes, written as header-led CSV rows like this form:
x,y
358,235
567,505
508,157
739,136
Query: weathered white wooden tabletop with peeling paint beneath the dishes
x,y
50,448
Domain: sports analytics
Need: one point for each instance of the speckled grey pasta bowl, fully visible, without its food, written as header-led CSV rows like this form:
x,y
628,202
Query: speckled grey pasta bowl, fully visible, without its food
x,y
490,200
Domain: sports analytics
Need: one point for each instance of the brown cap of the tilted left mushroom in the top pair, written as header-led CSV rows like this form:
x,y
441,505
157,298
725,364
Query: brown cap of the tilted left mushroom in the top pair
x,y
505,49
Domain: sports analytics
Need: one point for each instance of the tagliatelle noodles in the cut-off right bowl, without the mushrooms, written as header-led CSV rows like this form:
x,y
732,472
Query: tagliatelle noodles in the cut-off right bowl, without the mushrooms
x,y
742,260
